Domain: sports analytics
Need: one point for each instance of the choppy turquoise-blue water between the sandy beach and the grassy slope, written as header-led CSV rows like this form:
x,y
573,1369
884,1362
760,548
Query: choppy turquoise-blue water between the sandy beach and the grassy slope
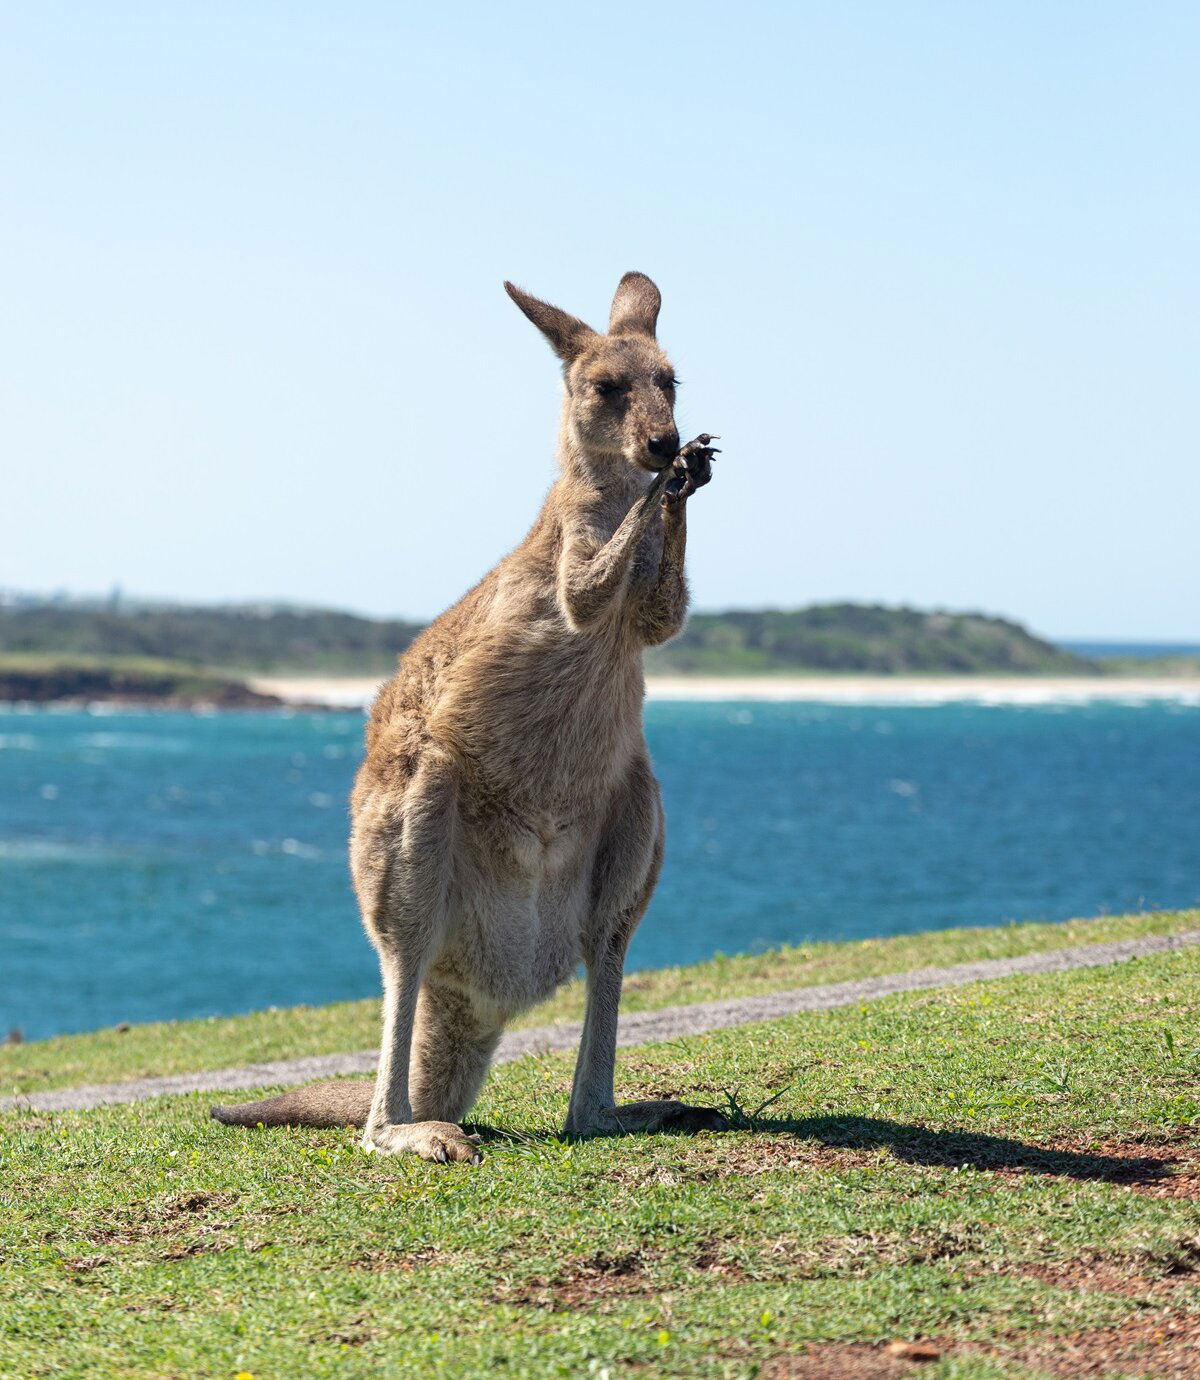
x,y
158,866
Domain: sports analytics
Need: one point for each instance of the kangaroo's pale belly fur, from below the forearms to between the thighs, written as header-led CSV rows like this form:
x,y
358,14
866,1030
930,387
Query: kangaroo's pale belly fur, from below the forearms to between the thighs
x,y
547,729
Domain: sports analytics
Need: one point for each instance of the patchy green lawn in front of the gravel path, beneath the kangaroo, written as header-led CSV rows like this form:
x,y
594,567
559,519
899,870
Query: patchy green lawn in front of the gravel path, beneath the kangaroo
x,y
1009,1171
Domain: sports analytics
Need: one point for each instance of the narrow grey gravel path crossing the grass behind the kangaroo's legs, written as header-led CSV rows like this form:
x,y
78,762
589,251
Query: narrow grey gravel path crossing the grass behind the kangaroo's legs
x,y
637,1027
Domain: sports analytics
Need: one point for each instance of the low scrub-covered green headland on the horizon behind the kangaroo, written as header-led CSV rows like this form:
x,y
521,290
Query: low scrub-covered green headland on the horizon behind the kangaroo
x,y
54,651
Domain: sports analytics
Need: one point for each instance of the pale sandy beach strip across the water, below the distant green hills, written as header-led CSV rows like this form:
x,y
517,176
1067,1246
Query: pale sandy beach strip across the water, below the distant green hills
x,y
352,692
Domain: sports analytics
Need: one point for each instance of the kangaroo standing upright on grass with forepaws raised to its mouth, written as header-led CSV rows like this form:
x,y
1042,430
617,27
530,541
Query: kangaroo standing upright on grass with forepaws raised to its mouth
x,y
507,822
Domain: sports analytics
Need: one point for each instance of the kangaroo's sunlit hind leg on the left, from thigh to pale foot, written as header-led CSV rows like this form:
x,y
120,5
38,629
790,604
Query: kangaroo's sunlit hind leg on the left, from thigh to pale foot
x,y
402,859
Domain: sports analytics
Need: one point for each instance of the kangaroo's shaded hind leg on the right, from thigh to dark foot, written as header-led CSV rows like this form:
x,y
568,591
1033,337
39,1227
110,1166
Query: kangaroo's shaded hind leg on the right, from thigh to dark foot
x,y
627,870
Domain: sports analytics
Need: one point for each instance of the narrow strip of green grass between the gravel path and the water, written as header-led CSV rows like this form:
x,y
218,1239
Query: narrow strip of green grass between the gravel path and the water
x,y
179,1048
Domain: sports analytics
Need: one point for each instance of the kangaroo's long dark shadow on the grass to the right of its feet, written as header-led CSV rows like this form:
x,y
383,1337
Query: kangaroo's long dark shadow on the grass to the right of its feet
x,y
954,1149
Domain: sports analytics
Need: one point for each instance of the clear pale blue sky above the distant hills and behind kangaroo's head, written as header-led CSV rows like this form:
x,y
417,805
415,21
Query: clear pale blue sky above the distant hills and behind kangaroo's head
x,y
932,270
